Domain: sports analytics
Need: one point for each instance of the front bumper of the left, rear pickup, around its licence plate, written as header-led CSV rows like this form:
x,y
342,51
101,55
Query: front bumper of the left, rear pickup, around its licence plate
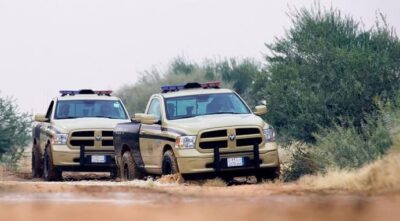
x,y
69,159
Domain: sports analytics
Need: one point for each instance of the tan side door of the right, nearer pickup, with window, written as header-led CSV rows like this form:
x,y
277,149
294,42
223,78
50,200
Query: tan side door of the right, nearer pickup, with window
x,y
150,140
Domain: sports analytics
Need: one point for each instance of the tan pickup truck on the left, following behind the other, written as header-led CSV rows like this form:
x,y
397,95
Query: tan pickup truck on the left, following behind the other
x,y
76,134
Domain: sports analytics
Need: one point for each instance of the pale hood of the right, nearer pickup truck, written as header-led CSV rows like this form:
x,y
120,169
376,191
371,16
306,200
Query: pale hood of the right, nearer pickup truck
x,y
193,126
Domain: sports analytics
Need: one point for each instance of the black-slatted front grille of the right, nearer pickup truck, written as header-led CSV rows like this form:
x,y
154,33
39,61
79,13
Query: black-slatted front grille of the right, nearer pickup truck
x,y
231,138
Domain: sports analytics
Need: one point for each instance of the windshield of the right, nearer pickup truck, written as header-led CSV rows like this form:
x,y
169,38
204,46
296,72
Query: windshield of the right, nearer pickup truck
x,y
204,104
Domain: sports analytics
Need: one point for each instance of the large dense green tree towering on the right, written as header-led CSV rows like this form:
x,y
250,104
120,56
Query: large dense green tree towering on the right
x,y
325,70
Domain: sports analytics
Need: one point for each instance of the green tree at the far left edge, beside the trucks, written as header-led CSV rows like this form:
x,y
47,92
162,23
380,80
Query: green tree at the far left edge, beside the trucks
x,y
15,130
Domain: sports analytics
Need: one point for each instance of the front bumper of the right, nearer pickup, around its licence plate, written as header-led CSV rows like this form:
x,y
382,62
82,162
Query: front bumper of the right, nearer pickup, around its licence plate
x,y
255,159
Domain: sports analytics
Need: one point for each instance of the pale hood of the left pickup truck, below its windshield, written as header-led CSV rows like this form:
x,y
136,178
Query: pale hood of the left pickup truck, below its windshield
x,y
66,125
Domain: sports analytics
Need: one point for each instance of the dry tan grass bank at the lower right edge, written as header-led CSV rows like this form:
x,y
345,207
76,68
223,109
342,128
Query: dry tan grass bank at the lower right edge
x,y
379,176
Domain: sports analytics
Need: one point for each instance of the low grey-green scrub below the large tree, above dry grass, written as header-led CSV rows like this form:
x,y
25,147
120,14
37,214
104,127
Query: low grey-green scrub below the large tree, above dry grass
x,y
345,146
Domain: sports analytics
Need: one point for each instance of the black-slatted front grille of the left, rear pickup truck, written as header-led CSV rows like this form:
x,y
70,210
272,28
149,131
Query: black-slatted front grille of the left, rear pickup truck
x,y
91,138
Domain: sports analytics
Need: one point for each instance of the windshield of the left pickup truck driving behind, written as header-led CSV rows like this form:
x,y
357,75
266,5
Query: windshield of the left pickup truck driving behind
x,y
70,109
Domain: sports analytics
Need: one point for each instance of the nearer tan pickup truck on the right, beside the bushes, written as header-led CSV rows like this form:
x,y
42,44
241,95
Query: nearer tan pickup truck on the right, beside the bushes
x,y
197,130
